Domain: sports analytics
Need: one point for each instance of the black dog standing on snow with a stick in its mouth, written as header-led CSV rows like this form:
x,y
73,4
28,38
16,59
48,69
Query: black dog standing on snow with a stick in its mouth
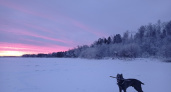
x,y
125,83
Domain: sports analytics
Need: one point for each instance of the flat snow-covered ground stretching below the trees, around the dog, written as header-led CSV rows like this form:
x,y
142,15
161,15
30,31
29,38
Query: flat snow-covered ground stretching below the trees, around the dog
x,y
80,75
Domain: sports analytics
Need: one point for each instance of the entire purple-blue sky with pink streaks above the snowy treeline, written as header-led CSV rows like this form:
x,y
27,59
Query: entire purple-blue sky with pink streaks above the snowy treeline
x,y
46,26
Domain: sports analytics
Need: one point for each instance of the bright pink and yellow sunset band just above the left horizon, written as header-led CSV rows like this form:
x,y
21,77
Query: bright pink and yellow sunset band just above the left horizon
x,y
11,49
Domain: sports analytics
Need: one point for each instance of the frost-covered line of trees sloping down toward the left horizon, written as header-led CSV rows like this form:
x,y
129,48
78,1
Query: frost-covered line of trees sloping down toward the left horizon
x,y
152,40
